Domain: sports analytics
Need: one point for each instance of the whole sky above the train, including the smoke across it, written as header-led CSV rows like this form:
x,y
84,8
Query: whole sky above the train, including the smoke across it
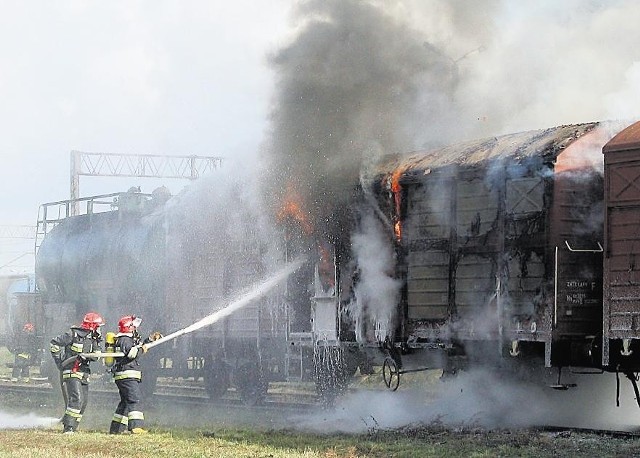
x,y
216,78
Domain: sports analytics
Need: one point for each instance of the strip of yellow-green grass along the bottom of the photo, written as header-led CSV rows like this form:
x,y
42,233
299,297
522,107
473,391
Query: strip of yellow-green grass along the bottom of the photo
x,y
236,443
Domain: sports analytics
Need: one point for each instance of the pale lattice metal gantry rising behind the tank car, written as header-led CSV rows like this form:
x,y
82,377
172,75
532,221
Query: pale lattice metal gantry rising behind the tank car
x,y
137,165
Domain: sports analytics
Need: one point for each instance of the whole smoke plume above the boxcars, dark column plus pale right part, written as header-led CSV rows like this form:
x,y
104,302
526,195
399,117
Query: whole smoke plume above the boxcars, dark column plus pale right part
x,y
364,78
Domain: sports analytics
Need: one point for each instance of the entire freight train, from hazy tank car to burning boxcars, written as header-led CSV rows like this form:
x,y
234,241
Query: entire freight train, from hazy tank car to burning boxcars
x,y
516,252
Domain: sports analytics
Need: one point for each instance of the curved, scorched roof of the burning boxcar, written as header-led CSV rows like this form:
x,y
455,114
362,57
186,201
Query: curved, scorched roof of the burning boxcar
x,y
547,143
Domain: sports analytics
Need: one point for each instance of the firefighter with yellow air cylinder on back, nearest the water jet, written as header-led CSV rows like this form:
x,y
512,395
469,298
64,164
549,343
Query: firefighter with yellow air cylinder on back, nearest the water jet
x,y
127,374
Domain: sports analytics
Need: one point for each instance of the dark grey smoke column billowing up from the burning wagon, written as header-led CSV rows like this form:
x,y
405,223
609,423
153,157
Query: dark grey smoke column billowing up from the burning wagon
x,y
355,82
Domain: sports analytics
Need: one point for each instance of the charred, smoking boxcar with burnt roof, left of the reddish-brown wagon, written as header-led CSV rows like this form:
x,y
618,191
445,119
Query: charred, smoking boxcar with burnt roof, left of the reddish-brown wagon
x,y
499,244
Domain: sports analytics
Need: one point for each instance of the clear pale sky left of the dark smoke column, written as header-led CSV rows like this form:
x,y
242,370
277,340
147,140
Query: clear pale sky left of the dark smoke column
x,y
148,77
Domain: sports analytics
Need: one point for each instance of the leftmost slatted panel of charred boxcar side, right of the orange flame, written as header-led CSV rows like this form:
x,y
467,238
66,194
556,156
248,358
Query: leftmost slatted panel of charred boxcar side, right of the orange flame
x,y
427,239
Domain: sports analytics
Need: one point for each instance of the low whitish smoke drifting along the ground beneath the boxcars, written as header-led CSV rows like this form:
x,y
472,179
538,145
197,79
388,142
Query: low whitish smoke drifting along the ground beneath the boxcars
x,y
480,398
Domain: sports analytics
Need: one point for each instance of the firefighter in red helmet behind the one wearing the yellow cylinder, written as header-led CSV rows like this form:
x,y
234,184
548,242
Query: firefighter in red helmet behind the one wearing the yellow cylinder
x,y
66,350
